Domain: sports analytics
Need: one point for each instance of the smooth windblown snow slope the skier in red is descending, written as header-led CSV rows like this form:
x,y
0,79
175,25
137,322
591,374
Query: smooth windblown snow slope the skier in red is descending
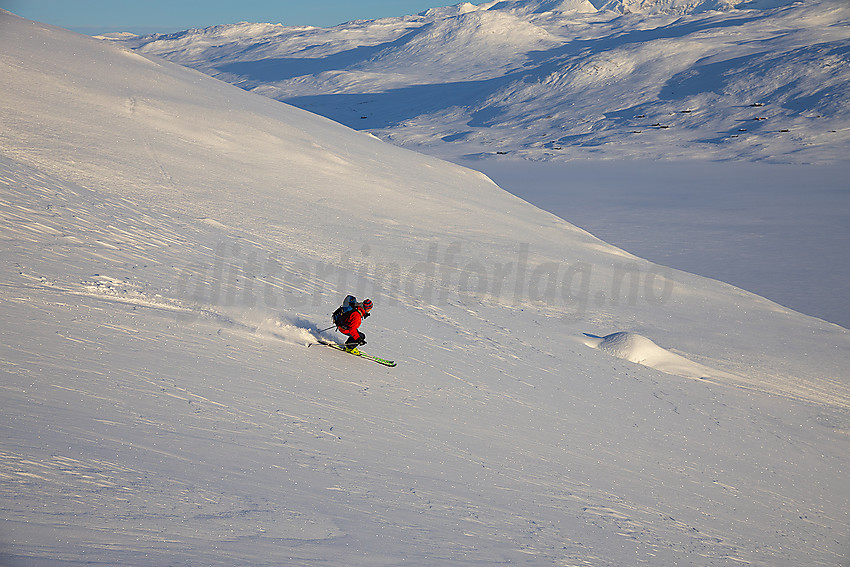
x,y
172,243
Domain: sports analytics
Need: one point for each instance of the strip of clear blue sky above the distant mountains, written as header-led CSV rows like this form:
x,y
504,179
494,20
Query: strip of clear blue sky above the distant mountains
x,y
144,16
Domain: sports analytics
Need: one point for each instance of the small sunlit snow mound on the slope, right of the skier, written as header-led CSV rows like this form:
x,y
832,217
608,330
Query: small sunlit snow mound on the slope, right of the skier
x,y
641,350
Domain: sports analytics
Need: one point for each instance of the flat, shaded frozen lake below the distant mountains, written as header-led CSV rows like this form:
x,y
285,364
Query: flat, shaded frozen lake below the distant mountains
x,y
780,231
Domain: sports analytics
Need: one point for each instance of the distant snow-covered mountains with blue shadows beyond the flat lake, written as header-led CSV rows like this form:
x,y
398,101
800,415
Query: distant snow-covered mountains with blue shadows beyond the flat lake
x,y
542,79
